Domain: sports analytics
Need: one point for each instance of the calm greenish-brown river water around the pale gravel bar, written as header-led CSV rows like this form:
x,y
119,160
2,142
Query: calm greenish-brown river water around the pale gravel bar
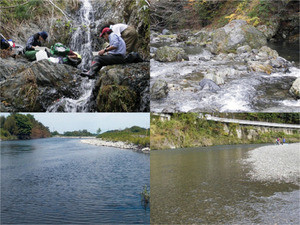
x,y
211,186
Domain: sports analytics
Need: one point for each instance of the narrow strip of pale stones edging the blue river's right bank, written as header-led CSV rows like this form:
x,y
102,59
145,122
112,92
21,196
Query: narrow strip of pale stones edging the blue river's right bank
x,y
118,144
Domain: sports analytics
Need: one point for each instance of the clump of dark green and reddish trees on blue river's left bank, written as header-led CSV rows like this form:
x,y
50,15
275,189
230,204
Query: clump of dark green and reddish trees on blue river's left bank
x,y
19,126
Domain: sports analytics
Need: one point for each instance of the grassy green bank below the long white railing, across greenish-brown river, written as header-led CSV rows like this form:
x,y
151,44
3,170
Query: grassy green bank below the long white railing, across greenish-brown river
x,y
187,130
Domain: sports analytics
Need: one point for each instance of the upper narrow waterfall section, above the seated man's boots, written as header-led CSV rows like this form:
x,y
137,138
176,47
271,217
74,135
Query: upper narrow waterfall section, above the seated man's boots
x,y
81,39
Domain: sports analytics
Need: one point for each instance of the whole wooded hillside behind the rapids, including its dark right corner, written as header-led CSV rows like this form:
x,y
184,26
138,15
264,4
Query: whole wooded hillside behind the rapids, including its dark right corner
x,y
281,16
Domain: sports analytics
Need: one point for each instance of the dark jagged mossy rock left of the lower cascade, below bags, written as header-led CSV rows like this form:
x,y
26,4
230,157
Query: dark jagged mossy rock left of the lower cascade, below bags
x,y
32,87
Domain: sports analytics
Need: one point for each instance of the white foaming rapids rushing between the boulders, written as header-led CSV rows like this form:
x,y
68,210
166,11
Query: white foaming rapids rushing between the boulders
x,y
242,91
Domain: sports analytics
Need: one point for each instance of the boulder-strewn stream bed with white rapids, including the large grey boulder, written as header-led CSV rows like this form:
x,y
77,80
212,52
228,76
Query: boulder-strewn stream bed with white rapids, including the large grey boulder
x,y
222,70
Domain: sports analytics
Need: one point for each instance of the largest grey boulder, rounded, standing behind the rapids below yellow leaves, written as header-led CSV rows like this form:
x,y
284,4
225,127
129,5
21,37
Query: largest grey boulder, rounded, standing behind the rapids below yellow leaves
x,y
236,34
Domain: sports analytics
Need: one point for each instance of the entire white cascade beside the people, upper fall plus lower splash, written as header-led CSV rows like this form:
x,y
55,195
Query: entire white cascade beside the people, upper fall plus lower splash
x,y
81,42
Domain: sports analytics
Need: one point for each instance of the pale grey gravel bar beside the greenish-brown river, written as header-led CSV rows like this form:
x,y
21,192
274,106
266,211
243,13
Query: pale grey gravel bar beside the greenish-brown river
x,y
275,163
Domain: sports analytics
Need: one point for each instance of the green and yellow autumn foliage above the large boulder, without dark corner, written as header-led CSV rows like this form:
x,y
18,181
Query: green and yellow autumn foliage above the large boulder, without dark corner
x,y
217,13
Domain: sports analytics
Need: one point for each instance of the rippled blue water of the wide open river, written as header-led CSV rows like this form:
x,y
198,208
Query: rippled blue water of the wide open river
x,y
64,181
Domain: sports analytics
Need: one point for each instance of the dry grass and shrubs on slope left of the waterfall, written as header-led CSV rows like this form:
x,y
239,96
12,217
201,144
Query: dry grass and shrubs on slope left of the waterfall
x,y
14,13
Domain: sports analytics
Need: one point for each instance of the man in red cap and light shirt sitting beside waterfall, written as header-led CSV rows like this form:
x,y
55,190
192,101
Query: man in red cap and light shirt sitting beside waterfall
x,y
115,53
